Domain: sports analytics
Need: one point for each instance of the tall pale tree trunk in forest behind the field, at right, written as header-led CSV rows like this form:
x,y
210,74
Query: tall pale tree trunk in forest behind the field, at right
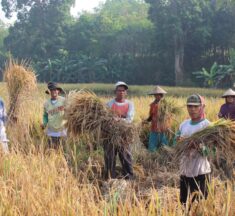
x,y
179,59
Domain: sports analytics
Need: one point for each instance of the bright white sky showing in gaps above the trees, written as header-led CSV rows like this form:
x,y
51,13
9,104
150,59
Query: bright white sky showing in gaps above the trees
x,y
80,5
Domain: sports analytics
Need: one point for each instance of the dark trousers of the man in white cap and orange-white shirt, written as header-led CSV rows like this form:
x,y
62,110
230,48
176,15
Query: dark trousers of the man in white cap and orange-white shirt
x,y
110,153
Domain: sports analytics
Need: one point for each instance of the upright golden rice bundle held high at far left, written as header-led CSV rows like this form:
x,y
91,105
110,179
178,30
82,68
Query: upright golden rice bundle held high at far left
x,y
21,81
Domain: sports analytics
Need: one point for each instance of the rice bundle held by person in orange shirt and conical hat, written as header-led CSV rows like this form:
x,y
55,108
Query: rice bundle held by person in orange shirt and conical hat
x,y
168,109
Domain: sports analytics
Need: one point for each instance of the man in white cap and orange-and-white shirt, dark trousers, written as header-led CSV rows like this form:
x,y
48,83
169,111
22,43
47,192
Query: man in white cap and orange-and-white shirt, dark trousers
x,y
125,110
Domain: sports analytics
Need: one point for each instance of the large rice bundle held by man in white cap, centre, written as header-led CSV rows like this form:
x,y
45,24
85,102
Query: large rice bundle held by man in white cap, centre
x,y
86,113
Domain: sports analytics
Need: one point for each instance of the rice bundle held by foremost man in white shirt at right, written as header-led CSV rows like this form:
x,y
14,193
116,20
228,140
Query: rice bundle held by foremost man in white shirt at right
x,y
216,140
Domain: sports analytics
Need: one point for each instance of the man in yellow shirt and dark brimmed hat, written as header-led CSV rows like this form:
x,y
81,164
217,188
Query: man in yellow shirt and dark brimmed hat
x,y
53,116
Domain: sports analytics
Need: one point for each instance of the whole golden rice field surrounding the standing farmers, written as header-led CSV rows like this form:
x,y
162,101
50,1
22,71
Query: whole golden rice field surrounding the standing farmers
x,y
37,181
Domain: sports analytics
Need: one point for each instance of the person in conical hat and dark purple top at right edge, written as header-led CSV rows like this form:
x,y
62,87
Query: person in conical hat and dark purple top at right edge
x,y
227,110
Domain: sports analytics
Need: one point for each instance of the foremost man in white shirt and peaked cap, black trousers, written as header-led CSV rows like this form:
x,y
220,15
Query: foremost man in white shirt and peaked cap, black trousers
x,y
194,167
